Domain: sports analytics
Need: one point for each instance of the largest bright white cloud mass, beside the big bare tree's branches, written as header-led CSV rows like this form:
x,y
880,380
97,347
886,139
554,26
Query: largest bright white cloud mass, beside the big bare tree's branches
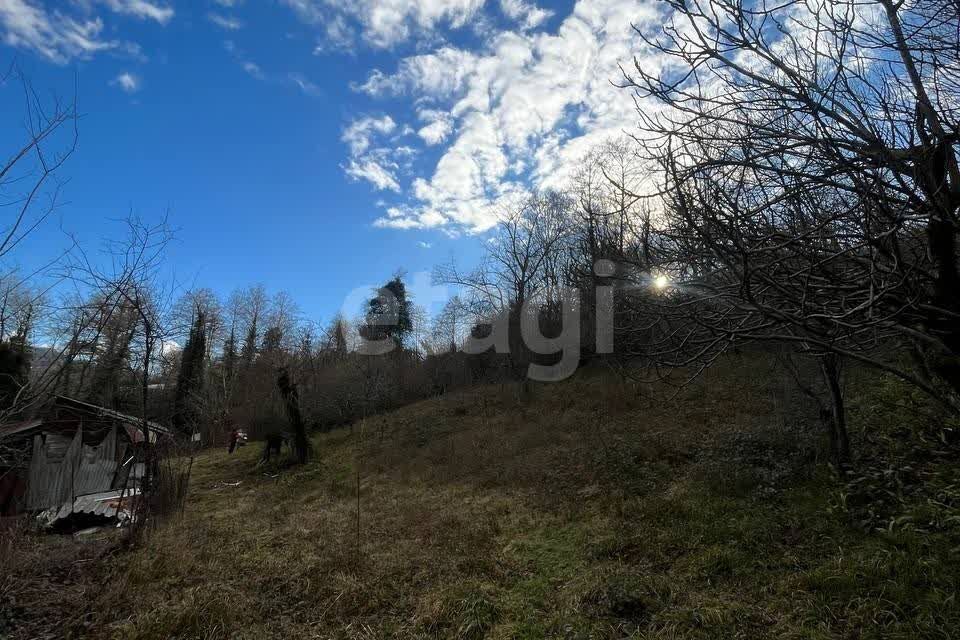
x,y
516,115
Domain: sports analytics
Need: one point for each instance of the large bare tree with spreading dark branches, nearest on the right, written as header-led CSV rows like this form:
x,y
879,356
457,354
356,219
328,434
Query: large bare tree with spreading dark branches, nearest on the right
x,y
807,162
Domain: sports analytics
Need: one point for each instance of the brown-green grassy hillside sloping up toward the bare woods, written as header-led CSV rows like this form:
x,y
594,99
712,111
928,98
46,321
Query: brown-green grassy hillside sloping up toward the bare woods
x,y
588,509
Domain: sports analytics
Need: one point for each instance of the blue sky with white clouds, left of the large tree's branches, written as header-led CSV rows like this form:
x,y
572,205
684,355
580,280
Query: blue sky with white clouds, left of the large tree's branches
x,y
313,145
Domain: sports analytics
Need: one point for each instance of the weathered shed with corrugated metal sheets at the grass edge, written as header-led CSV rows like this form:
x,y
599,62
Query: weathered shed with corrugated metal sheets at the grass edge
x,y
75,449
